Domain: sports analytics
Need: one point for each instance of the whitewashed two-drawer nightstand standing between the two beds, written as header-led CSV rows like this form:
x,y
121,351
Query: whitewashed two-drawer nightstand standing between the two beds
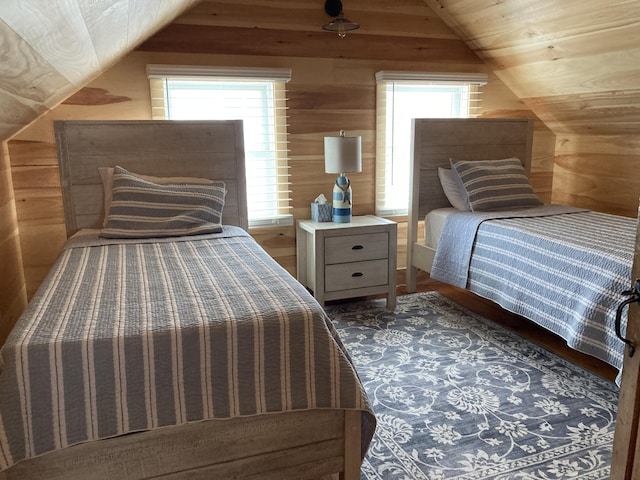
x,y
344,260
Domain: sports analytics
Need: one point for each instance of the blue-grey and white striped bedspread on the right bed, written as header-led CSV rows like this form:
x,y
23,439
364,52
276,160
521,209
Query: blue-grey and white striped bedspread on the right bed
x,y
564,271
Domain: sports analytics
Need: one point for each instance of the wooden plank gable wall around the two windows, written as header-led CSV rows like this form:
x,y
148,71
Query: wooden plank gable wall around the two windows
x,y
332,88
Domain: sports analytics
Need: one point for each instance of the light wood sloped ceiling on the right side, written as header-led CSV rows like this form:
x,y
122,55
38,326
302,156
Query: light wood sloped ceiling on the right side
x,y
575,63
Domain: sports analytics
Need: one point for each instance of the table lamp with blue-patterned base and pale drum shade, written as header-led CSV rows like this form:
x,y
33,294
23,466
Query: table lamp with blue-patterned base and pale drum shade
x,y
342,155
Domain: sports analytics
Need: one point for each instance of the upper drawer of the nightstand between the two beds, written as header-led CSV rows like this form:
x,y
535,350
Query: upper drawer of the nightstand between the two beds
x,y
356,248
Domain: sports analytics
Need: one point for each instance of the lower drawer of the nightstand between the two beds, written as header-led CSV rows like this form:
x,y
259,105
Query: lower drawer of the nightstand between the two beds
x,y
345,276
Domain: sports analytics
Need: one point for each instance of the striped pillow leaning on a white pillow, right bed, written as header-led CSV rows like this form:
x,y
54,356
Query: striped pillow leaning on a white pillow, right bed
x,y
493,185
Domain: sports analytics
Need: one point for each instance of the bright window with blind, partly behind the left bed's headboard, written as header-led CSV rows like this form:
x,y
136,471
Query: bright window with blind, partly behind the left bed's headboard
x,y
258,98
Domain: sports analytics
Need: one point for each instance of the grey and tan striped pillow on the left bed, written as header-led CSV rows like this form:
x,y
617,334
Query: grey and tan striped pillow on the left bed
x,y
144,209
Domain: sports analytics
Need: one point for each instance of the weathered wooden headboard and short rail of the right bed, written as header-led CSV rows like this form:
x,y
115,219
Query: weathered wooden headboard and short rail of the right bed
x,y
434,142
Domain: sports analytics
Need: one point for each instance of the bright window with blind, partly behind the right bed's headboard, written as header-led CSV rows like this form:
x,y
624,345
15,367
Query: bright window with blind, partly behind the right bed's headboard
x,y
402,96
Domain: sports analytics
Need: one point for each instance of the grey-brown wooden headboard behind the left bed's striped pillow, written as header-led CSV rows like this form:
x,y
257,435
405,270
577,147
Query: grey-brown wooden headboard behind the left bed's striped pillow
x,y
207,149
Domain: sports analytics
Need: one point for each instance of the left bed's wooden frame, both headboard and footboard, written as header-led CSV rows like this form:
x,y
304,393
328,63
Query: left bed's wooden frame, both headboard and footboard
x,y
302,444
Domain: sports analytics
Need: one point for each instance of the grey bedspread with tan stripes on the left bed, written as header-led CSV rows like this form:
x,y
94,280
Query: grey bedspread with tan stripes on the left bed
x,y
126,336
